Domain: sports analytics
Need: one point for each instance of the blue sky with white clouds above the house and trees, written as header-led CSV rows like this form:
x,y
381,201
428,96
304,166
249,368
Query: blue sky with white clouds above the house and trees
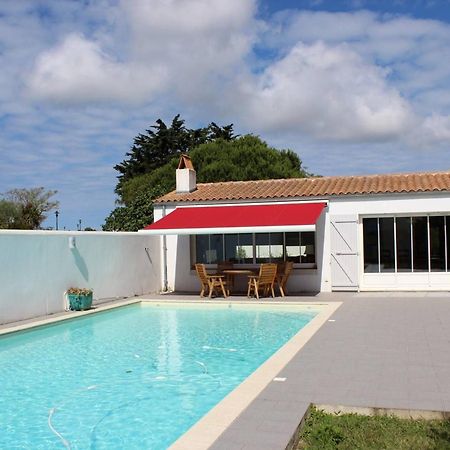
x,y
353,86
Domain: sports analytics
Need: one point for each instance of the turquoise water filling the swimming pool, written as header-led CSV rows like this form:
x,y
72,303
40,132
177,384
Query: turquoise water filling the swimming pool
x,y
135,377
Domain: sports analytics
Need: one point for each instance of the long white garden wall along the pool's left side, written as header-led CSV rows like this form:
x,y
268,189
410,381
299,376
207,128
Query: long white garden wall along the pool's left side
x,y
36,268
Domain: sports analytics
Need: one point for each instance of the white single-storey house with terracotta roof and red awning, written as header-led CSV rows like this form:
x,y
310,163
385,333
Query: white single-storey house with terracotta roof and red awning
x,y
377,232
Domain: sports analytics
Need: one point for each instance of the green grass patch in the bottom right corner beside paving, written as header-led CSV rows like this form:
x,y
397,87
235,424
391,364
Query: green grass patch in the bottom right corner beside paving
x,y
324,431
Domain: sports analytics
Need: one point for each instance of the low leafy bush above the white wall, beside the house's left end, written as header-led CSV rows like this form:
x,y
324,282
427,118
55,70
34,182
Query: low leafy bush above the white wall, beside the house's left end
x,y
136,215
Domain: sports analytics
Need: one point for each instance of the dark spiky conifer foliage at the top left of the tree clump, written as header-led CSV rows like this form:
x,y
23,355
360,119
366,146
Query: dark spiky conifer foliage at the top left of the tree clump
x,y
160,143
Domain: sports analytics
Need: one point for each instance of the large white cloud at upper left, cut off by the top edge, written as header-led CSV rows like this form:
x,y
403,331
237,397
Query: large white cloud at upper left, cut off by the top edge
x,y
186,46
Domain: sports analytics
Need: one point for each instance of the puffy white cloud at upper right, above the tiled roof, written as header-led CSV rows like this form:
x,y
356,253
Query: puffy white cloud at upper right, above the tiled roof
x,y
330,93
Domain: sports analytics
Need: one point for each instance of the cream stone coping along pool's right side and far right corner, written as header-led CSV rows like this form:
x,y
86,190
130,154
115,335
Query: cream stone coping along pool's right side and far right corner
x,y
210,427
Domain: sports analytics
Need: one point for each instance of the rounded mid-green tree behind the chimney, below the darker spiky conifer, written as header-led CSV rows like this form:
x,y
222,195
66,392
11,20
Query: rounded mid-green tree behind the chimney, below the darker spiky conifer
x,y
242,158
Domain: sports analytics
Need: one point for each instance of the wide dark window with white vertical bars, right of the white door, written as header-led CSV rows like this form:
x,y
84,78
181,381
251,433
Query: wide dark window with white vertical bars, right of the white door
x,y
406,244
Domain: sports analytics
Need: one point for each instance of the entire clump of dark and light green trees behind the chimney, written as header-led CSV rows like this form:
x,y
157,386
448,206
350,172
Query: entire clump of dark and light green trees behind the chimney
x,y
148,171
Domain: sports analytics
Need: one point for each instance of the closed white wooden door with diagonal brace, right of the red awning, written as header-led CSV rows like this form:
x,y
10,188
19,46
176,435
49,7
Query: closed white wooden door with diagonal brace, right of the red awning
x,y
344,253
